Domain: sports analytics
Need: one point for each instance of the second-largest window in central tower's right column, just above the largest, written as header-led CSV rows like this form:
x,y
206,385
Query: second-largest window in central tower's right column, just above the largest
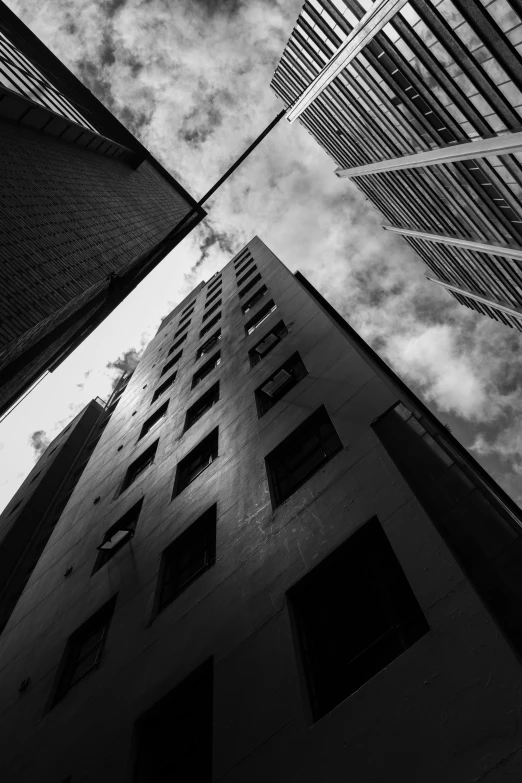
x,y
314,443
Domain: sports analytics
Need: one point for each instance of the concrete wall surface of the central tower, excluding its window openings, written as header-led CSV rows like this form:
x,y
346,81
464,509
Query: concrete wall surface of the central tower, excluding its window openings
x,y
445,709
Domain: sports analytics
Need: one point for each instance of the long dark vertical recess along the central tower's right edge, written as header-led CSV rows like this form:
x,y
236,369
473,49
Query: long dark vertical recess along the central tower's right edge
x,y
484,536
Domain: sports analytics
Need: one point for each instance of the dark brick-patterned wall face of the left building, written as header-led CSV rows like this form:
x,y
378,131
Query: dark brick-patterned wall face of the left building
x,y
68,217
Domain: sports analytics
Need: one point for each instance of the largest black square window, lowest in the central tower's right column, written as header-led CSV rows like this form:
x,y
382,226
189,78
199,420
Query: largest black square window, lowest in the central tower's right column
x,y
345,642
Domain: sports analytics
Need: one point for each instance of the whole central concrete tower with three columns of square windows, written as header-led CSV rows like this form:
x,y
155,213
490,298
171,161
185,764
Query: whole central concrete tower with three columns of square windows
x,y
276,565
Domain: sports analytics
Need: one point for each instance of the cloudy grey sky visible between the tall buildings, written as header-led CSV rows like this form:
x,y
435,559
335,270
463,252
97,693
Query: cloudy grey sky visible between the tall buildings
x,y
191,80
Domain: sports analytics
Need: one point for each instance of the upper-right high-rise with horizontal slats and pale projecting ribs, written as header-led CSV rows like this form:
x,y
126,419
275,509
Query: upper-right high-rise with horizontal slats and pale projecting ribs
x,y
420,104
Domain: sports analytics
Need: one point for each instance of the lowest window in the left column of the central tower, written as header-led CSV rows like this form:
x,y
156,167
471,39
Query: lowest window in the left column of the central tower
x,y
84,651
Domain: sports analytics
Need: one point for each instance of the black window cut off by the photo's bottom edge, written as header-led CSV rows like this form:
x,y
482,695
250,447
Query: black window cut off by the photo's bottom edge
x,y
174,738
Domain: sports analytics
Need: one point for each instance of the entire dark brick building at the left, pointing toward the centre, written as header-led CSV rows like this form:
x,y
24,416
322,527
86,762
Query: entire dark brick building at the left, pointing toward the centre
x,y
85,210
